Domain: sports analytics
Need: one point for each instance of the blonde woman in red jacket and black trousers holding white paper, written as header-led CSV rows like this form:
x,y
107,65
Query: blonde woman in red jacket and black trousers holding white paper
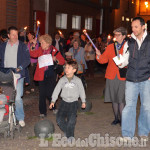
x,y
45,74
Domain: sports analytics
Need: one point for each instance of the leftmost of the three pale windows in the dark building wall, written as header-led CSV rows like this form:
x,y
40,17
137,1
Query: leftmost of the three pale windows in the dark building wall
x,y
61,21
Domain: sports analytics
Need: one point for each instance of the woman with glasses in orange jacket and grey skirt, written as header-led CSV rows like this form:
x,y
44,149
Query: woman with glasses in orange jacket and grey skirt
x,y
115,84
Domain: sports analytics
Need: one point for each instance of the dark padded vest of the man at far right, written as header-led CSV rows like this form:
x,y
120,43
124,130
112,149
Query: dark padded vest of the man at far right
x,y
139,60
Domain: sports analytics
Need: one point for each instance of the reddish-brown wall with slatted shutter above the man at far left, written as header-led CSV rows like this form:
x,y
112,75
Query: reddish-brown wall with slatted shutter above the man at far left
x,y
14,12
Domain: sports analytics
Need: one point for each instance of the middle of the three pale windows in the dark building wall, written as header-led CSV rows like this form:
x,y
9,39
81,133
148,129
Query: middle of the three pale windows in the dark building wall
x,y
76,22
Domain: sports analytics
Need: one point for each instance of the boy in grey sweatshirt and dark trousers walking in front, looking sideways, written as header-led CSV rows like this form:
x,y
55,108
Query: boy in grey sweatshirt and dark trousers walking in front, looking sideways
x,y
72,88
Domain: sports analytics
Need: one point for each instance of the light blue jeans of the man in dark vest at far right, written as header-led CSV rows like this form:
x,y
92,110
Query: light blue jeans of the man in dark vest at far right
x,y
129,112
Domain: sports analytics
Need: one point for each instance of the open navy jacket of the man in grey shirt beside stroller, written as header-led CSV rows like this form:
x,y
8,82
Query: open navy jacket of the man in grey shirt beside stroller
x,y
23,56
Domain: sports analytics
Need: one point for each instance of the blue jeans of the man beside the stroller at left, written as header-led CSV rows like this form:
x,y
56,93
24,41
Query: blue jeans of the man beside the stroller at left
x,y
19,112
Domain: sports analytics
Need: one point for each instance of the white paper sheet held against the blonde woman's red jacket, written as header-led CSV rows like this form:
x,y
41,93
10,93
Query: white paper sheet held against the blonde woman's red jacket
x,y
45,60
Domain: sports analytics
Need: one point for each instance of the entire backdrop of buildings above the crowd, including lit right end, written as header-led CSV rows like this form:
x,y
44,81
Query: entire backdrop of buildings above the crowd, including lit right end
x,y
96,16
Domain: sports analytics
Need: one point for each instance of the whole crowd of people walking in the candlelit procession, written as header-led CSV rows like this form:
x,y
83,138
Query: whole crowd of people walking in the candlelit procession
x,y
44,57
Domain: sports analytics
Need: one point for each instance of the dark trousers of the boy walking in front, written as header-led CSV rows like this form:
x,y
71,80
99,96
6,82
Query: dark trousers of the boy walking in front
x,y
66,117
